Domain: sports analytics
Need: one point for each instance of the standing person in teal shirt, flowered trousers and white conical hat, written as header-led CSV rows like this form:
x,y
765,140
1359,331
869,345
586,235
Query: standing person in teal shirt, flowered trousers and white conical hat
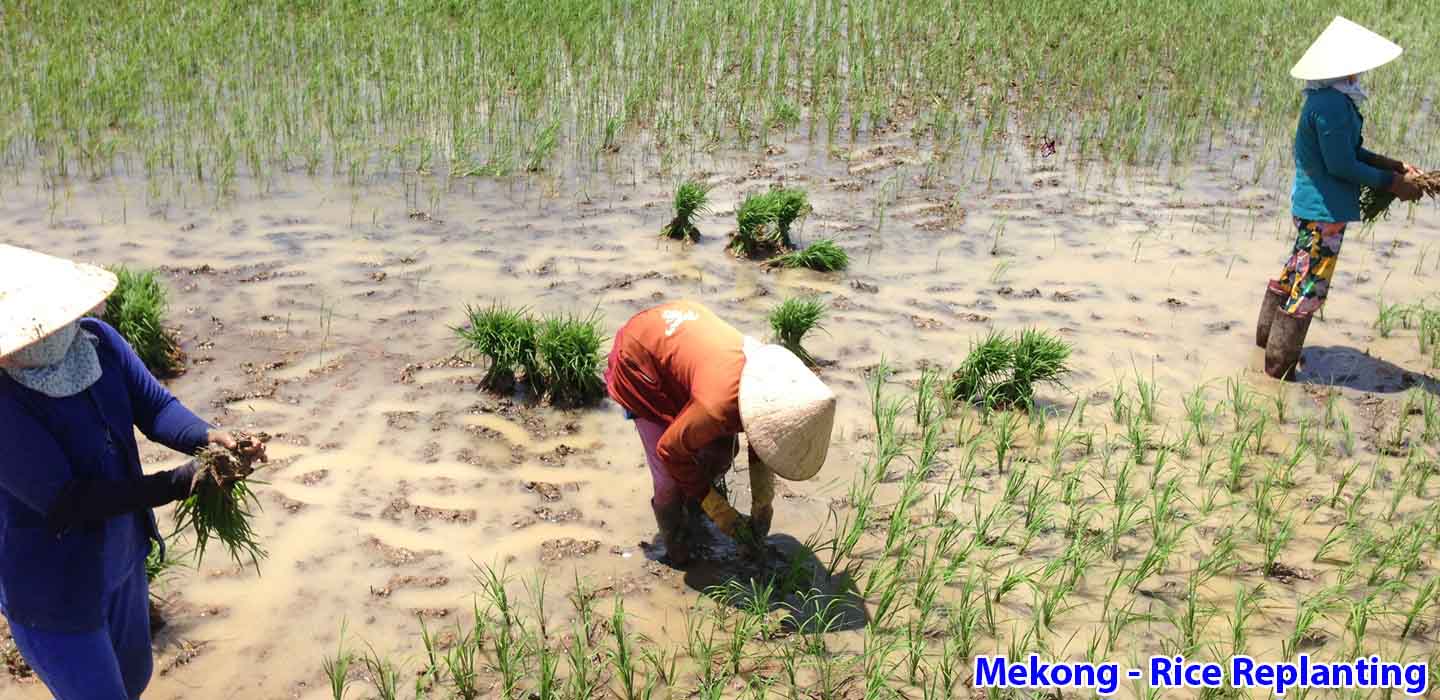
x,y
1331,166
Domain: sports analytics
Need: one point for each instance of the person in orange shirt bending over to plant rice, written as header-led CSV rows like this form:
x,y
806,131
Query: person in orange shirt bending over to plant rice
x,y
693,384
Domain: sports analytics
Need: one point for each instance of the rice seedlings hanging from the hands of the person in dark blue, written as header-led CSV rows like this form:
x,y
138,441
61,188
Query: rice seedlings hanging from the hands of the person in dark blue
x,y
220,503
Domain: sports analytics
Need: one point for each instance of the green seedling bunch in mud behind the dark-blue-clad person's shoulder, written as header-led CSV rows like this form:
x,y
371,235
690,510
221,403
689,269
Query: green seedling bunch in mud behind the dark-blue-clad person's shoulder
x,y
138,310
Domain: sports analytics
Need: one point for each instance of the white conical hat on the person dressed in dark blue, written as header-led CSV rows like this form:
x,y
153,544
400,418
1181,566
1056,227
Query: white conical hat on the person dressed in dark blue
x,y
40,295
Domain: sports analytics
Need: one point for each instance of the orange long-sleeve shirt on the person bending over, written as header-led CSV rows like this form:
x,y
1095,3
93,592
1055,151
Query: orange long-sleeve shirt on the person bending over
x,y
680,365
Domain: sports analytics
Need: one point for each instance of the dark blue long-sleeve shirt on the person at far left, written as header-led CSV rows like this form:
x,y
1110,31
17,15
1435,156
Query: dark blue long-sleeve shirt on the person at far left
x,y
58,581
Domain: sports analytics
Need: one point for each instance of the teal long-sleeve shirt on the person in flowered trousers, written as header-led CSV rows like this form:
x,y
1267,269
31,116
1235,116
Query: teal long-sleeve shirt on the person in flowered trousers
x,y
1330,161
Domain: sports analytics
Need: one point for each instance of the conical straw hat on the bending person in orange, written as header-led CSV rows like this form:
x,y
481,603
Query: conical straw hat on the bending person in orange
x,y
786,410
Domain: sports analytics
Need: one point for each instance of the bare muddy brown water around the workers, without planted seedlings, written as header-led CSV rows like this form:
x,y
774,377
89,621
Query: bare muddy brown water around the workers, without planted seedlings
x,y
322,315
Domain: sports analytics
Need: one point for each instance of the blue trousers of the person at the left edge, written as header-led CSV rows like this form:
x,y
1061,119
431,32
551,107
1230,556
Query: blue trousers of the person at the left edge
x,y
113,663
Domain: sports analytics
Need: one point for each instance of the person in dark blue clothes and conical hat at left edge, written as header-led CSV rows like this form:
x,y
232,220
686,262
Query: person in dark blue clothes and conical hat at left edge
x,y
76,508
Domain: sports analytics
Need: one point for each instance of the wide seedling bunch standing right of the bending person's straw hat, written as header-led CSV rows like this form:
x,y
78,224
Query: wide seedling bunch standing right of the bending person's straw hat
x,y
1003,372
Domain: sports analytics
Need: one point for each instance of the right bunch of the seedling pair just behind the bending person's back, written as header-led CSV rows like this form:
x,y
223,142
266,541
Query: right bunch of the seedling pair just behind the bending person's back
x,y
568,359
